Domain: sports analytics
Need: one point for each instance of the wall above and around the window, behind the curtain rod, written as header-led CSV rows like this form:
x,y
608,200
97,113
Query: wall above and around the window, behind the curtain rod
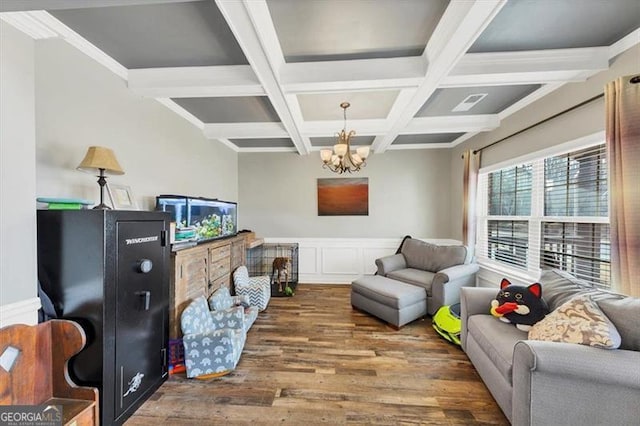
x,y
580,122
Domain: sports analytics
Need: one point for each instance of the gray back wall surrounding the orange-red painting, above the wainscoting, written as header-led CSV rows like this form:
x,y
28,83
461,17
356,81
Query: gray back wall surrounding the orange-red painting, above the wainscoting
x,y
408,194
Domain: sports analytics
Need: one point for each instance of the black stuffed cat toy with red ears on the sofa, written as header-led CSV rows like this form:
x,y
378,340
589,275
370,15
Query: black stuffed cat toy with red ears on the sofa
x,y
519,305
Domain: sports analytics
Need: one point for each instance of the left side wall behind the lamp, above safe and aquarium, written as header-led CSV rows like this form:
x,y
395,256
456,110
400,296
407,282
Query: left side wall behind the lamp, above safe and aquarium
x,y
80,103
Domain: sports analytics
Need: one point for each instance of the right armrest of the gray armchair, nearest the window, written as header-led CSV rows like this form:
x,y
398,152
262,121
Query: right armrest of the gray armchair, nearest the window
x,y
447,283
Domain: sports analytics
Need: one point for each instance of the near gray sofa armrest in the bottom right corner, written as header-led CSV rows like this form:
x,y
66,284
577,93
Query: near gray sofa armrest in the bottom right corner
x,y
575,384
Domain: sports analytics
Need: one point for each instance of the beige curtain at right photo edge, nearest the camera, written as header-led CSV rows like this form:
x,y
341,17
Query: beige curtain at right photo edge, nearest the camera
x,y
622,101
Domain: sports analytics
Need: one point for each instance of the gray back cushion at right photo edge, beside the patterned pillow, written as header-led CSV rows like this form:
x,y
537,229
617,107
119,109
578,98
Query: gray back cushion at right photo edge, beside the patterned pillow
x,y
624,313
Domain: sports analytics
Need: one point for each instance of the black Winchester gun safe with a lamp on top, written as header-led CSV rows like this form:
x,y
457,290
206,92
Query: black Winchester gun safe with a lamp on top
x,y
109,271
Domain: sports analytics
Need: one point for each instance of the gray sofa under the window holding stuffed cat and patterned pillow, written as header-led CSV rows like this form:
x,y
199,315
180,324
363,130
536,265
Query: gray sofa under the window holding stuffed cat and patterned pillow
x,y
545,383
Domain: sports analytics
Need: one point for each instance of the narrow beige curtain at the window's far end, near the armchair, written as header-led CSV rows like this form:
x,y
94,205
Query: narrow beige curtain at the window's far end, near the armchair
x,y
469,191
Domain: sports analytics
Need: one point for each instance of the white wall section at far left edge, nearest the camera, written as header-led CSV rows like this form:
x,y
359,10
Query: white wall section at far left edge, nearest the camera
x,y
18,178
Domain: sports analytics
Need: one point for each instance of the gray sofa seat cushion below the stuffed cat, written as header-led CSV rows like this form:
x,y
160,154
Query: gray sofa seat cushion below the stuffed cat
x,y
496,339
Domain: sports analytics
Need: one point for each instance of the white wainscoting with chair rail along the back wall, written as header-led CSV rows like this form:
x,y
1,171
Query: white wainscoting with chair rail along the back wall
x,y
342,260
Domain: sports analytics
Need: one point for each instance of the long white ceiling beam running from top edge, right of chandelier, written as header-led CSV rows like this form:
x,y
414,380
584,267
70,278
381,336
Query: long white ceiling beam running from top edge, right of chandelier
x,y
461,24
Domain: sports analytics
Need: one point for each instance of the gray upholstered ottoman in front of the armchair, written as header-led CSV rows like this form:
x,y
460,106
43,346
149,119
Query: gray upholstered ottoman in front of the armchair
x,y
393,301
